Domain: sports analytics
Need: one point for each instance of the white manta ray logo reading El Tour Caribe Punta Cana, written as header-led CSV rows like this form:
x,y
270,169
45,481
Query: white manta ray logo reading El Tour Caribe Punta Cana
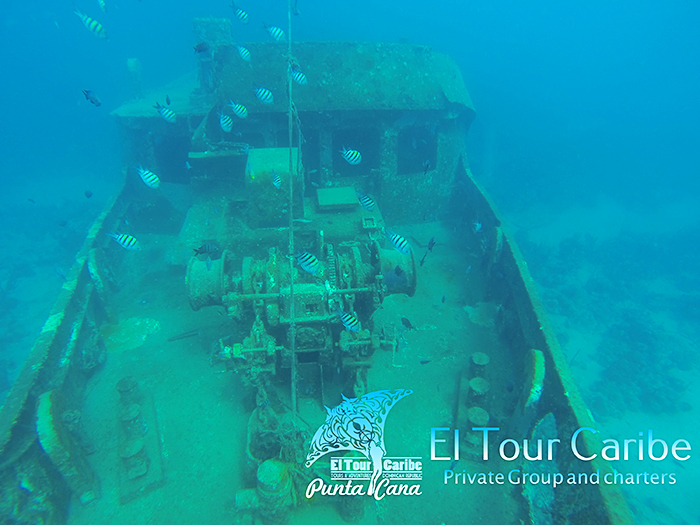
x,y
358,425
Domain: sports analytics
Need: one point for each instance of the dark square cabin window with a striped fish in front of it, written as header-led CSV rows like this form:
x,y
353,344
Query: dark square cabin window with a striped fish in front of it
x,y
366,141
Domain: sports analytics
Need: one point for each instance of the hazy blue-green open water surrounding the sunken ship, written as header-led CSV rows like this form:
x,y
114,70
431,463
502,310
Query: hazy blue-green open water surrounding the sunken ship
x,y
586,128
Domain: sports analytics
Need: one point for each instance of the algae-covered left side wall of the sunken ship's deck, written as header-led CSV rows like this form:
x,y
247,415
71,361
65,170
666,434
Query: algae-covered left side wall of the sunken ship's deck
x,y
66,353
